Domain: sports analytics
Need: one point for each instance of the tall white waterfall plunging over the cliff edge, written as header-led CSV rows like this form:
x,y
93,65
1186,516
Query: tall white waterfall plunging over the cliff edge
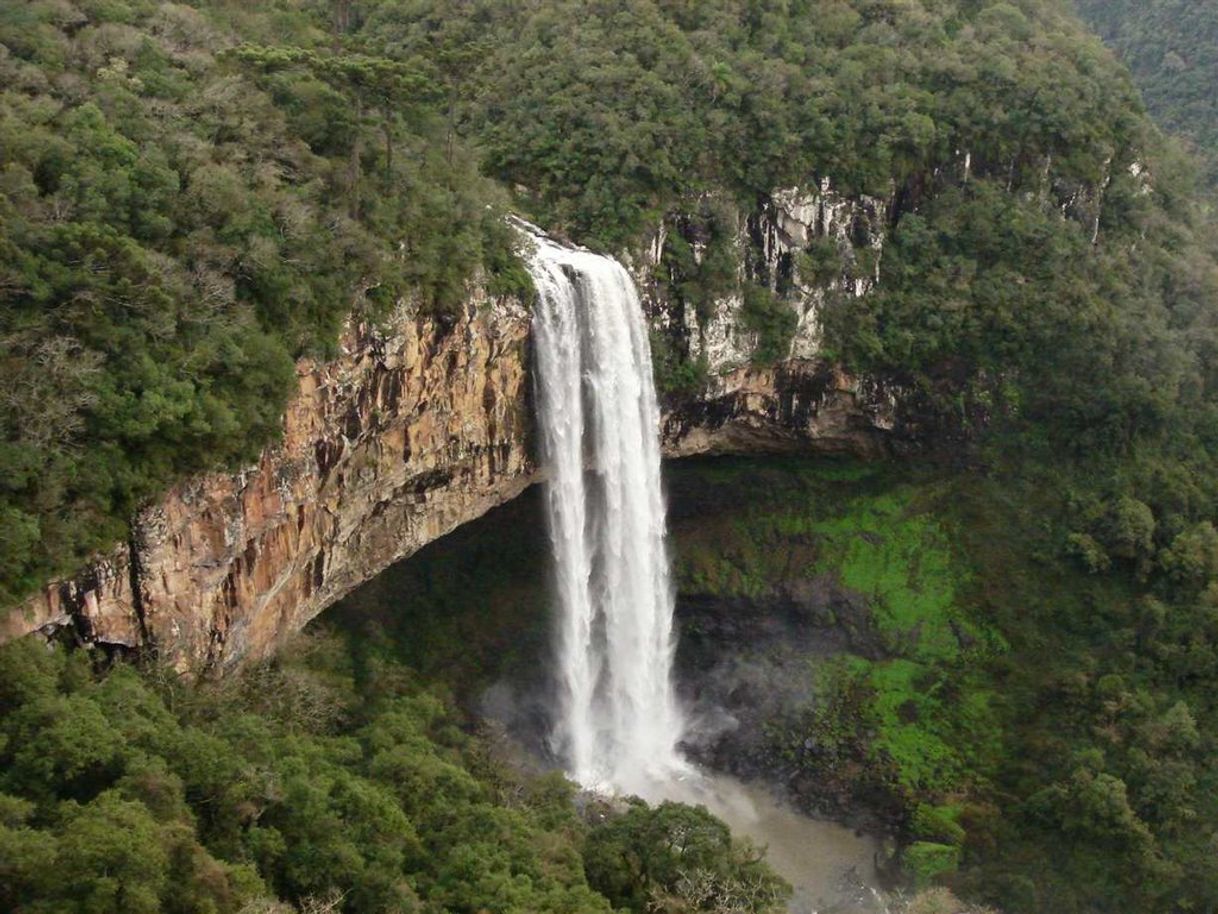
x,y
619,721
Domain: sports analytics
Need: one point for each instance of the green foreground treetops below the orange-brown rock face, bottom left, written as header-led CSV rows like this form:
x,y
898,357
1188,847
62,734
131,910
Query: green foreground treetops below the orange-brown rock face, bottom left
x,y
292,785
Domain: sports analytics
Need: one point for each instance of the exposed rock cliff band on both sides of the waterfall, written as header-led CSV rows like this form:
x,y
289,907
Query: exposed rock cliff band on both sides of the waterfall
x,y
414,431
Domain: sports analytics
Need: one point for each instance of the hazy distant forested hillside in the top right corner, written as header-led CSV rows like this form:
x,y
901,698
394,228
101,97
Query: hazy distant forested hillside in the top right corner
x,y
1172,49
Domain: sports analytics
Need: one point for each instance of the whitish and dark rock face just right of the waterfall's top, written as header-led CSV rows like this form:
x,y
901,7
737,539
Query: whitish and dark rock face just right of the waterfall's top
x,y
803,403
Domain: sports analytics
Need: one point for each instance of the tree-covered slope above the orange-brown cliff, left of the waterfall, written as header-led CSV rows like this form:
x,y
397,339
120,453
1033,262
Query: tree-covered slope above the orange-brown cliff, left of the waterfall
x,y
178,222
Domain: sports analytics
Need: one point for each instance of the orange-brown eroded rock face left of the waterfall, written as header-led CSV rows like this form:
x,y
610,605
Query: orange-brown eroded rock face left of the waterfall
x,y
407,434
